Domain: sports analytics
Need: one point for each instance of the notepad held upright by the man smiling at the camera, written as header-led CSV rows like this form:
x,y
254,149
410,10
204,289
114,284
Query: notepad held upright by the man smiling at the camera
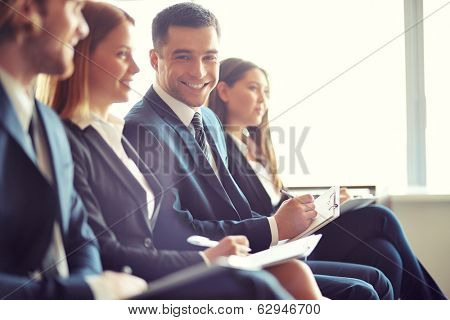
x,y
328,209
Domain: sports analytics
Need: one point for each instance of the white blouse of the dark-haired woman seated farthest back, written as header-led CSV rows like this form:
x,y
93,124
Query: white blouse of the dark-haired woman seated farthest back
x,y
261,172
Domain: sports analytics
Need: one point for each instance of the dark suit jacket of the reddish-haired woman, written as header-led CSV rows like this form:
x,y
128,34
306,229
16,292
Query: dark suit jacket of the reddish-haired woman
x,y
117,207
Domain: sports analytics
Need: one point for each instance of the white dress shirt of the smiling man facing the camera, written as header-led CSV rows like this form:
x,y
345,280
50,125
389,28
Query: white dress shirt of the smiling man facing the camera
x,y
186,114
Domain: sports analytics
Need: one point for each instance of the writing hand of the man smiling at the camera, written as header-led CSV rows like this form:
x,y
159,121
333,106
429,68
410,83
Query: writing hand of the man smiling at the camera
x,y
294,216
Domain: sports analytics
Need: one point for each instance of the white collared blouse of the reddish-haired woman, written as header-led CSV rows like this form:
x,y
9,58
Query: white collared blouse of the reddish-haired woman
x,y
111,131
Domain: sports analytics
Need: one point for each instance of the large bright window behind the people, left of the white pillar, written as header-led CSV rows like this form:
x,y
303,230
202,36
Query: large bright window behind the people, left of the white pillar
x,y
336,59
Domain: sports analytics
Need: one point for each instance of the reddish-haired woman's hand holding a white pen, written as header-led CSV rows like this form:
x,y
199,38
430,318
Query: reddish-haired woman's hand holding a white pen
x,y
231,245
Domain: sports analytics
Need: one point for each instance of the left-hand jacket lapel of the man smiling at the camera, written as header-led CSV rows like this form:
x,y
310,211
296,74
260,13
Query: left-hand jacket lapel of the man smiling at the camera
x,y
194,150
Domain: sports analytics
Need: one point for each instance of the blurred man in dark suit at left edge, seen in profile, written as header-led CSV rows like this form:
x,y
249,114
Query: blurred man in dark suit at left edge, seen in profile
x,y
47,250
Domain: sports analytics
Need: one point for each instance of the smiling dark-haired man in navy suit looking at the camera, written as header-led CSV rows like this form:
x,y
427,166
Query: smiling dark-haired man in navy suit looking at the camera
x,y
183,144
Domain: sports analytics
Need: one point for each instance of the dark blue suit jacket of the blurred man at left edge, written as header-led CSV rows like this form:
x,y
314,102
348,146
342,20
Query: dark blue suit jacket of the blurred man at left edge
x,y
29,205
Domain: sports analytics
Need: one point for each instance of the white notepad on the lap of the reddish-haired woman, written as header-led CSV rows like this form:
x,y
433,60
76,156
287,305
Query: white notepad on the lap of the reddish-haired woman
x,y
300,248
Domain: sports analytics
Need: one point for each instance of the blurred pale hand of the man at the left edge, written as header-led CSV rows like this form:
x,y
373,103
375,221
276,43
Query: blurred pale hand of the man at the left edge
x,y
120,285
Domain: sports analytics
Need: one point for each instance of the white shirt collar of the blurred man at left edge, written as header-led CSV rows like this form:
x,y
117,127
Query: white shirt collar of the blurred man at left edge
x,y
21,100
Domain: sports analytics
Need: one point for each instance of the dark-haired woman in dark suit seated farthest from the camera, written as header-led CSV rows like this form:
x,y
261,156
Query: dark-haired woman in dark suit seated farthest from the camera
x,y
371,236
